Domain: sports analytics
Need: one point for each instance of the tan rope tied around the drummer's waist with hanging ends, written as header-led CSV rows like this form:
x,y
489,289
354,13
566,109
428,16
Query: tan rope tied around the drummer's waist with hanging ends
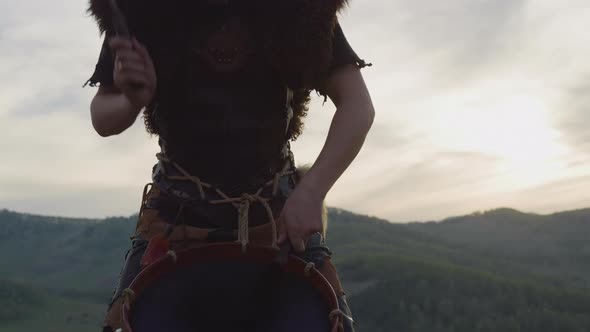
x,y
241,203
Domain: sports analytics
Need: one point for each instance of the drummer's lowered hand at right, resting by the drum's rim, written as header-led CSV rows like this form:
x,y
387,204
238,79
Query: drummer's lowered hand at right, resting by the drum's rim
x,y
301,217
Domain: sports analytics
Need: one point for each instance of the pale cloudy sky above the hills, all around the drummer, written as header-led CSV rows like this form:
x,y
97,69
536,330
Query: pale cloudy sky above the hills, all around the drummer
x,y
479,104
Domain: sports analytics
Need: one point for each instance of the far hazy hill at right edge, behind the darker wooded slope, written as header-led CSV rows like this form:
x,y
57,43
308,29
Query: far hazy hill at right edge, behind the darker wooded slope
x,y
556,245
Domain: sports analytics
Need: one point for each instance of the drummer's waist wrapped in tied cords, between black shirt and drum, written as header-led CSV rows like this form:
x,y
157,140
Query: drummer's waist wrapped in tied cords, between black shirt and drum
x,y
188,199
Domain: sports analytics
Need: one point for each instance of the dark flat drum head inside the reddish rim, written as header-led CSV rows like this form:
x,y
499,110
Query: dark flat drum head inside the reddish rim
x,y
228,294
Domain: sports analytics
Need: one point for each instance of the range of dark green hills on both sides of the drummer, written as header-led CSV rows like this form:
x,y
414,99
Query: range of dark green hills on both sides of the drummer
x,y
500,270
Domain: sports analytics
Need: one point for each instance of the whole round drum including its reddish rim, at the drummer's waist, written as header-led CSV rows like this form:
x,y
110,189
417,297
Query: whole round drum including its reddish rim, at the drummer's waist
x,y
219,287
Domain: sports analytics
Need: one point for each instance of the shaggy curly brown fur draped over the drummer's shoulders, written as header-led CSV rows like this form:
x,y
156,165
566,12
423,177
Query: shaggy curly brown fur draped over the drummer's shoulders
x,y
297,37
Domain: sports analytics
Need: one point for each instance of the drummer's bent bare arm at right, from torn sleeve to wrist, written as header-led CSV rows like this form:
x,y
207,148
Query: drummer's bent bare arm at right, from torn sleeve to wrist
x,y
350,125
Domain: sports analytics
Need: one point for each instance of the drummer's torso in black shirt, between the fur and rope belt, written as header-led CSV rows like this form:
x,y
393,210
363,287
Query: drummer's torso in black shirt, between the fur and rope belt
x,y
221,109
